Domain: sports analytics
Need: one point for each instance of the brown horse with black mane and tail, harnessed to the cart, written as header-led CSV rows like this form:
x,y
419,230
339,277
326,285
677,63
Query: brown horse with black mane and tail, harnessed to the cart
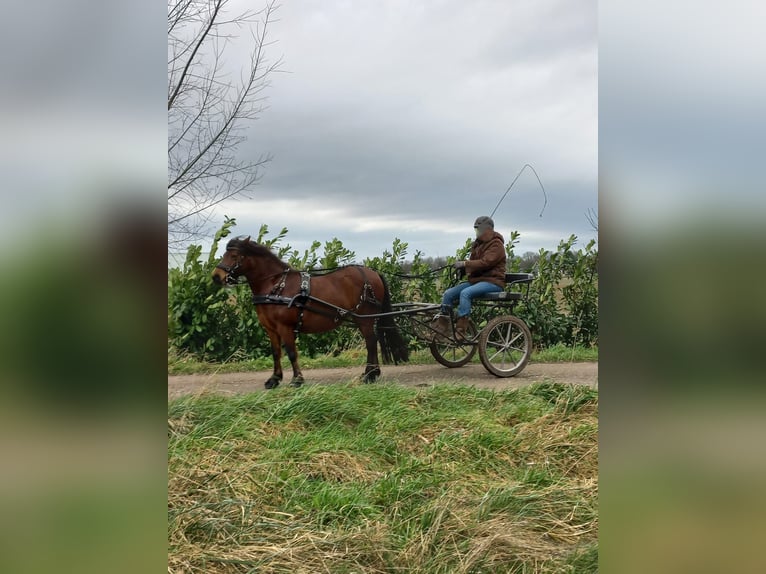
x,y
289,302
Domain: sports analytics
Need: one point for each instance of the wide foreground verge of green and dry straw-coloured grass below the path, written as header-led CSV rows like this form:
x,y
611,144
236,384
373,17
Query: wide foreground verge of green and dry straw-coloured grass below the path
x,y
383,478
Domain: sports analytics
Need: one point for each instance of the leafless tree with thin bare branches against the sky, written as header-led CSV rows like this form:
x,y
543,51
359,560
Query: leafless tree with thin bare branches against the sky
x,y
209,111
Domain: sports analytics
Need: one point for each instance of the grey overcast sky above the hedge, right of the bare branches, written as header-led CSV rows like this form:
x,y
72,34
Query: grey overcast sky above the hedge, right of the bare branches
x,y
409,119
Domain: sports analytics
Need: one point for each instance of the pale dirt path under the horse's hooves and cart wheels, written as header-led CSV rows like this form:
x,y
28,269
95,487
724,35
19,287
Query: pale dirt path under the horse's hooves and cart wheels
x,y
411,375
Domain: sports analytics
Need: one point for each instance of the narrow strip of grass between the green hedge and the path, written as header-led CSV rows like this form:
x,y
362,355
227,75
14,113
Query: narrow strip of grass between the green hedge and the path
x,y
184,365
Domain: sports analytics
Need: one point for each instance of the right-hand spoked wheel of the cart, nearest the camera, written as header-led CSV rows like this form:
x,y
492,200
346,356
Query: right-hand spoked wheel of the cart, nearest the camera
x,y
505,345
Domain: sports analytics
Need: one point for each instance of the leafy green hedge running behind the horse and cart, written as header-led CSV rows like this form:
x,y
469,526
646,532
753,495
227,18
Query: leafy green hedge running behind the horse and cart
x,y
212,323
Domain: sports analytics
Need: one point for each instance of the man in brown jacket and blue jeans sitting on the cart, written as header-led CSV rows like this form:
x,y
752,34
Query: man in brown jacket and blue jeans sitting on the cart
x,y
486,274
